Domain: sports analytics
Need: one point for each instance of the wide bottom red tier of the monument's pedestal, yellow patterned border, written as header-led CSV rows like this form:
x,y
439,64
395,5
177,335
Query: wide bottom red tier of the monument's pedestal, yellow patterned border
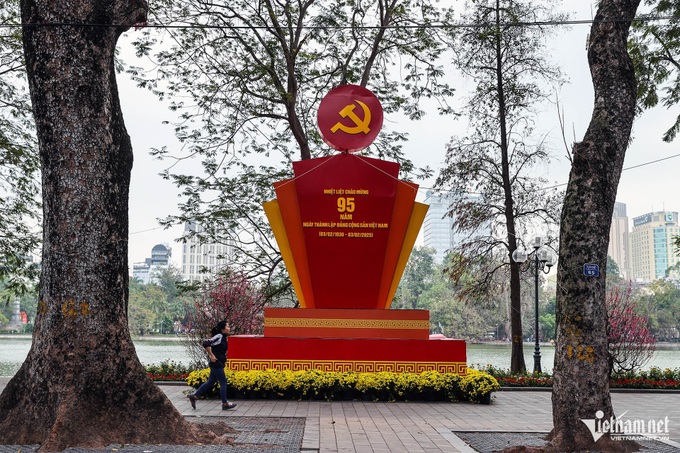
x,y
366,355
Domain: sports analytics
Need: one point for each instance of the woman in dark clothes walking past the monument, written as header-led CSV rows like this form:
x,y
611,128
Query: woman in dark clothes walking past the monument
x,y
216,347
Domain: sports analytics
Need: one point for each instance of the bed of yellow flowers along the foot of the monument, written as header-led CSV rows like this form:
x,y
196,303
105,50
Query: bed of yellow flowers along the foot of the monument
x,y
475,387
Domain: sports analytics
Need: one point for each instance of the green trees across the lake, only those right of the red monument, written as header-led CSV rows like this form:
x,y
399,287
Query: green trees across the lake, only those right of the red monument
x,y
425,285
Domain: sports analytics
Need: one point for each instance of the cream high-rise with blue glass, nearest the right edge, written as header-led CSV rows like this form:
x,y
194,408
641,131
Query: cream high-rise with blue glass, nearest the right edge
x,y
652,244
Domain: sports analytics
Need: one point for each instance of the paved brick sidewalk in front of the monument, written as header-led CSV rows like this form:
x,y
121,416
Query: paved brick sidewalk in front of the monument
x,y
366,427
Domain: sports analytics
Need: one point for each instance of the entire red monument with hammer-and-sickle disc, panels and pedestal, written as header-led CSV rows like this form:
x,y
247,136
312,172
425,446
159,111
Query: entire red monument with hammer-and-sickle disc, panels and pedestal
x,y
346,225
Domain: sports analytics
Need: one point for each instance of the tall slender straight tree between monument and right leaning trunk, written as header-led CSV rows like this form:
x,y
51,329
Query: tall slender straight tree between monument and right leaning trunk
x,y
495,200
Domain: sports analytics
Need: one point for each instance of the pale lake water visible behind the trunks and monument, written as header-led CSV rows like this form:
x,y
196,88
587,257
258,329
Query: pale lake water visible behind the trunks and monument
x,y
13,351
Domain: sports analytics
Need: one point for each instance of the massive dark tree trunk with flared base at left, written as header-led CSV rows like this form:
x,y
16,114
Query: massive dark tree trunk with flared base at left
x,y
82,383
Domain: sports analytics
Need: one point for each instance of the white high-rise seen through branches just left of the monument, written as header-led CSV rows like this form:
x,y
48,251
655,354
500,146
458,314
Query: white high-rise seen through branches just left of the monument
x,y
202,260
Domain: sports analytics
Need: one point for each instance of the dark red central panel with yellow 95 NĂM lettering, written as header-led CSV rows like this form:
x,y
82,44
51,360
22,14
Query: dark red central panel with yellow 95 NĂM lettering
x,y
346,205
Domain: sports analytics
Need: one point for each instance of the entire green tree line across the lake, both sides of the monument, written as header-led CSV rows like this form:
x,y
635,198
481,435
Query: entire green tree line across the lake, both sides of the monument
x,y
165,306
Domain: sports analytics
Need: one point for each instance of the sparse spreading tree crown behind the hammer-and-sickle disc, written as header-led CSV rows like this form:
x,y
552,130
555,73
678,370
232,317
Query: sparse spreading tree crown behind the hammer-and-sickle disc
x,y
246,79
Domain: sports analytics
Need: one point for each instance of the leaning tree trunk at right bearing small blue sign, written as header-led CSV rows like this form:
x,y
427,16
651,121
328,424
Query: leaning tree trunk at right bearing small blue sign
x,y
581,378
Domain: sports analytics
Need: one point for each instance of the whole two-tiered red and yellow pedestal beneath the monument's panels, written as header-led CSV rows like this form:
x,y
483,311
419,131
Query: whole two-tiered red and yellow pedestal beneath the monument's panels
x,y
347,340
